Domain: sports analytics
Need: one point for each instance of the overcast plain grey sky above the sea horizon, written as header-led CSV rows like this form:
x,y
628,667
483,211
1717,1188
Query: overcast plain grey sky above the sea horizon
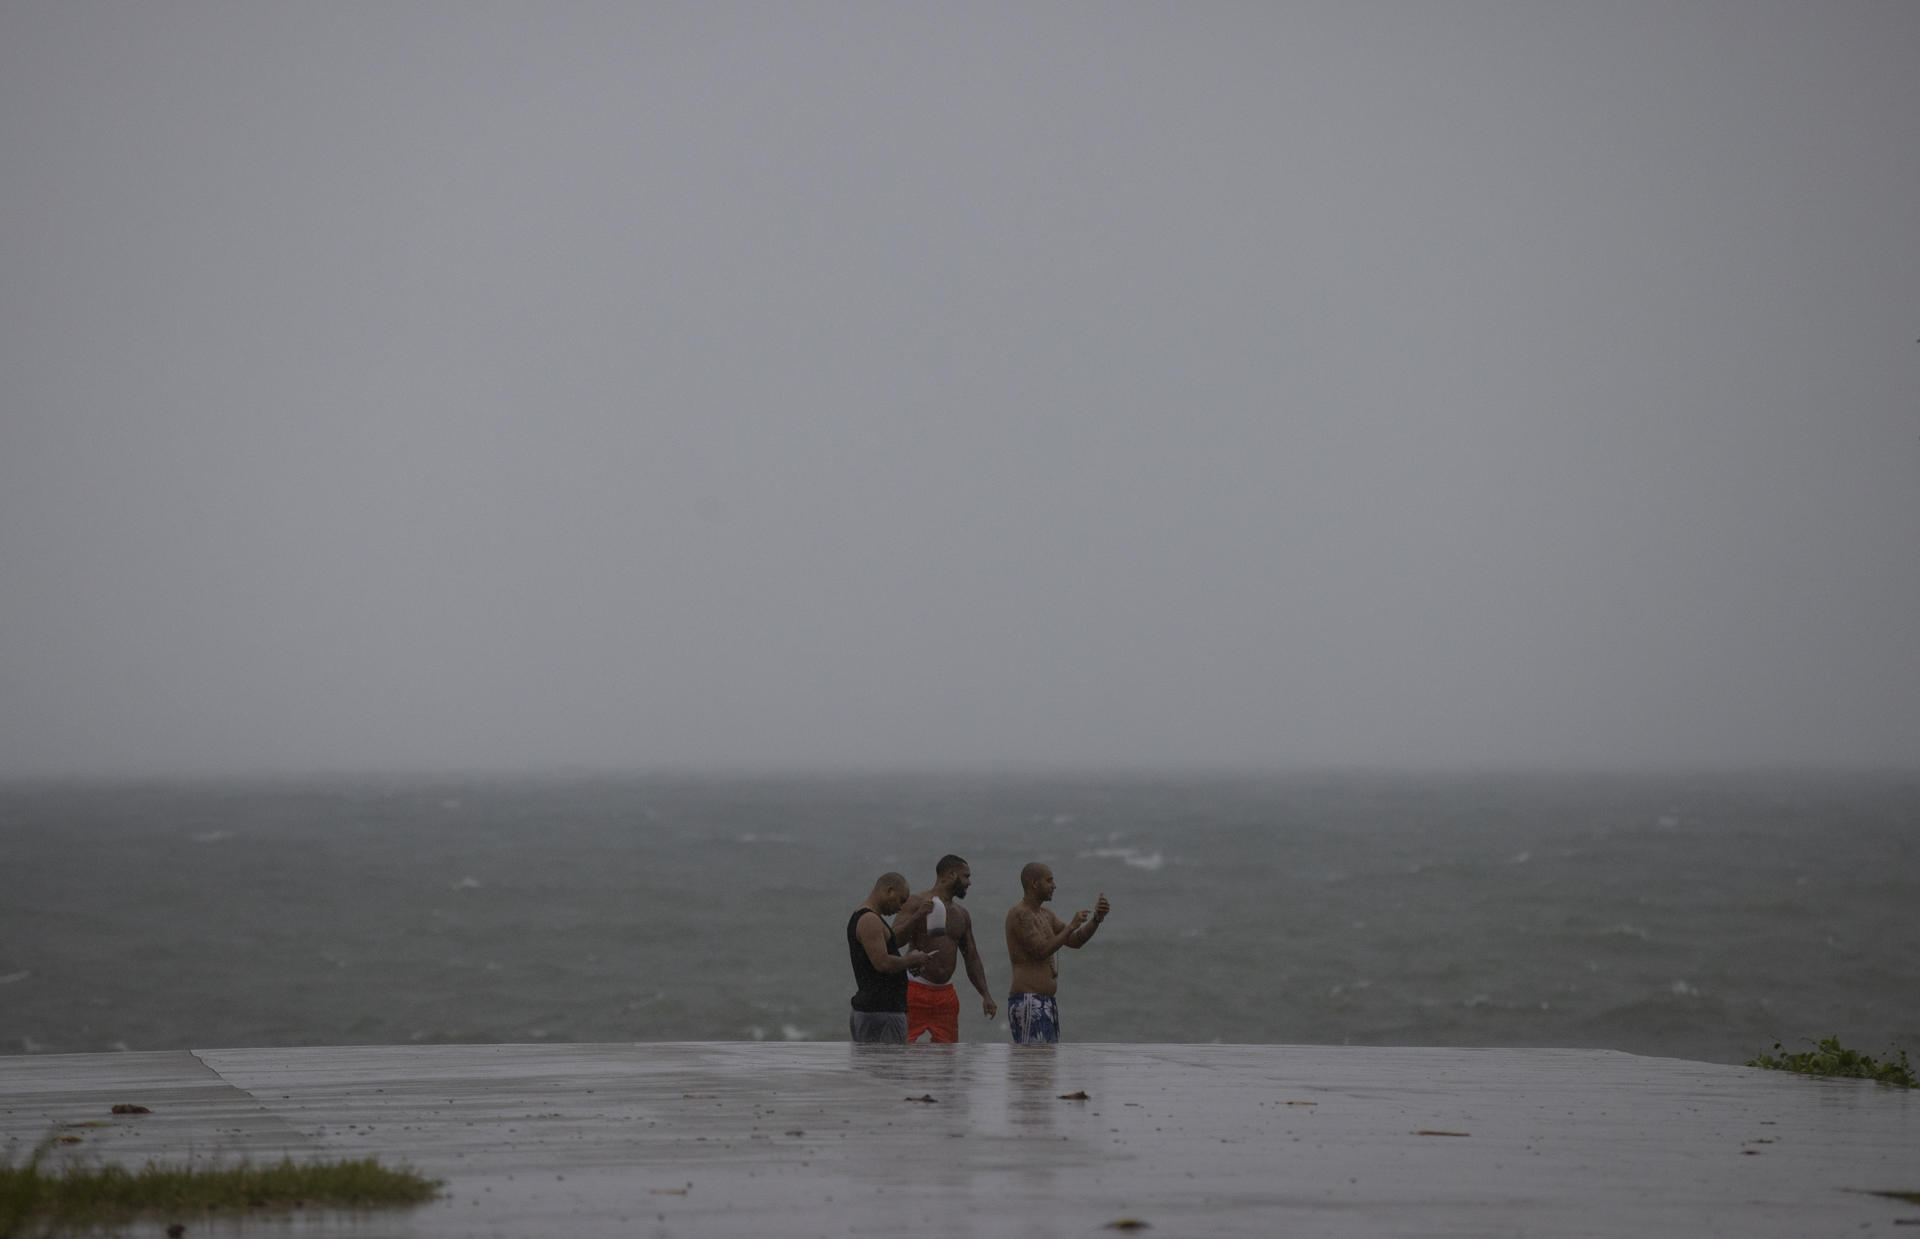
x,y
875,385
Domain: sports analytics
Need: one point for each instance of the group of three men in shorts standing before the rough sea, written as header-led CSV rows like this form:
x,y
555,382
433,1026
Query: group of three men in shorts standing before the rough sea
x,y
905,969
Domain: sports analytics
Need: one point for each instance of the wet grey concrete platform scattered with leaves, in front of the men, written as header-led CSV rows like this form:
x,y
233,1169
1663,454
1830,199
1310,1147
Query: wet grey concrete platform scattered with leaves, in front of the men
x,y
997,1140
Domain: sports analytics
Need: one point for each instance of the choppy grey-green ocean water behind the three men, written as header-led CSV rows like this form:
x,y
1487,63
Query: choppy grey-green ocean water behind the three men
x,y
1700,917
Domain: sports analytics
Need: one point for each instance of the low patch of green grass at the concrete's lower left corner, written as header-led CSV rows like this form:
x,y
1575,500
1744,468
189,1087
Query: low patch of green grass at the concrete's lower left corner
x,y
84,1196
